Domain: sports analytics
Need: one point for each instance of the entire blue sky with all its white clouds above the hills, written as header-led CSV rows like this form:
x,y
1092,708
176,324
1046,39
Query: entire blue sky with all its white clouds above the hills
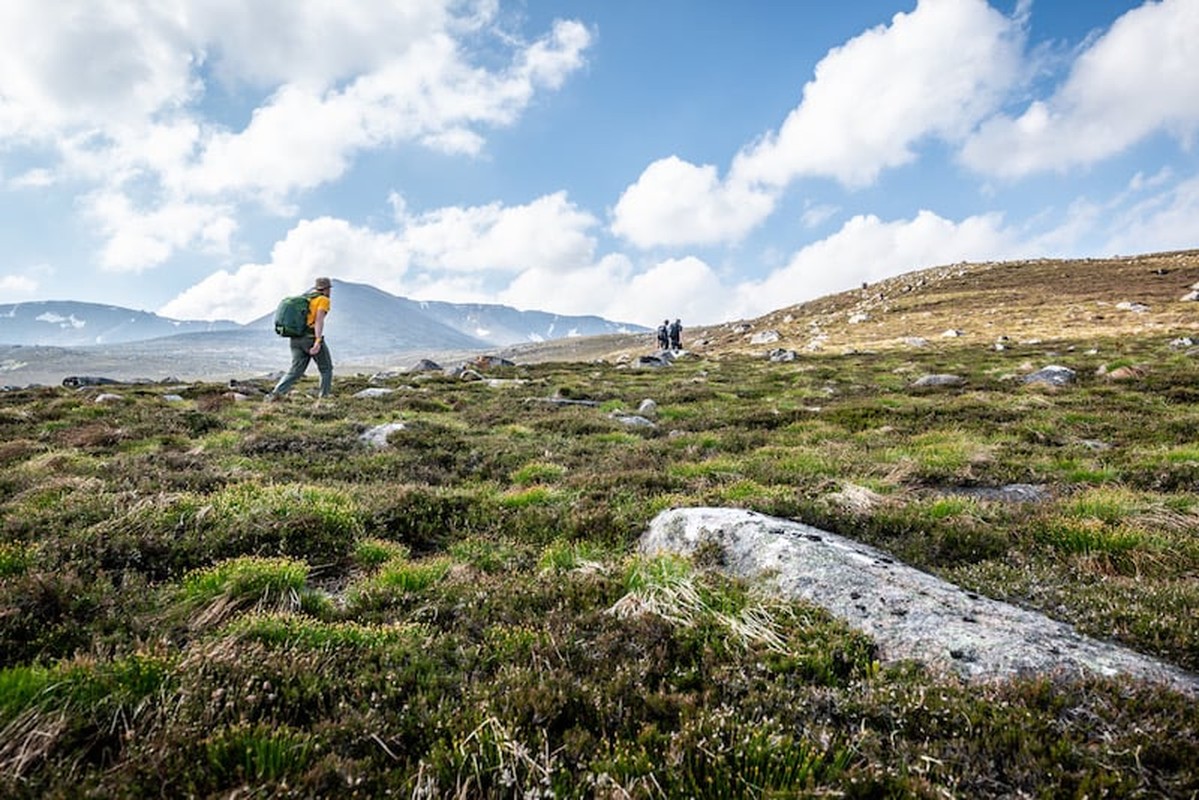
x,y
629,159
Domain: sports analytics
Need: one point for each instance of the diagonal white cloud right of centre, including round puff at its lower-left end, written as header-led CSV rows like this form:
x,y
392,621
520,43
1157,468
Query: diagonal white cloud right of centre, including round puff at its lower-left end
x,y
932,74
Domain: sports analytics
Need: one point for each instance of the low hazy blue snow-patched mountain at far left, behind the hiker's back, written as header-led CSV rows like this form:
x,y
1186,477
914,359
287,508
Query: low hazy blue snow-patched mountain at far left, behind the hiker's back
x,y
63,323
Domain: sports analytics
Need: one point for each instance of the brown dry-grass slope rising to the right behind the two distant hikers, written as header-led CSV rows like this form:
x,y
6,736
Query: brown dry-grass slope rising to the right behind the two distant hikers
x,y
1032,300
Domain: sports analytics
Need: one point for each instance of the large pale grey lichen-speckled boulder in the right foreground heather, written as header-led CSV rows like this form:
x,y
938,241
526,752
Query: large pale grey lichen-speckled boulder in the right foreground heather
x,y
909,615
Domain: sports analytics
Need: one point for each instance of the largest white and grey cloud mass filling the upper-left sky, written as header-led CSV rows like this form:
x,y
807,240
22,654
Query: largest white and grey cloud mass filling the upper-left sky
x,y
115,93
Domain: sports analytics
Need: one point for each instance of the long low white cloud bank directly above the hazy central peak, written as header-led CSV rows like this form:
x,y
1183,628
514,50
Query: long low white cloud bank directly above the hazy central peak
x,y
535,256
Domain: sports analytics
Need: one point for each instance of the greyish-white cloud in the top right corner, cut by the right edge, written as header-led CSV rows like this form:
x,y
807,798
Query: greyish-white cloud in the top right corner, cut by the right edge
x,y
1137,80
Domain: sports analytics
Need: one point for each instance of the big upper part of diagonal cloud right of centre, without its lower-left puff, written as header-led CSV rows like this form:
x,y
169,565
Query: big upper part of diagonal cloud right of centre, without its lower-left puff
x,y
933,73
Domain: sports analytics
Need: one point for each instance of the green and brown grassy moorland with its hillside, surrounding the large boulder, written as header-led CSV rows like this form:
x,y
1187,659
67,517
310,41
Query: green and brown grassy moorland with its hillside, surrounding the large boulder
x,y
210,598
